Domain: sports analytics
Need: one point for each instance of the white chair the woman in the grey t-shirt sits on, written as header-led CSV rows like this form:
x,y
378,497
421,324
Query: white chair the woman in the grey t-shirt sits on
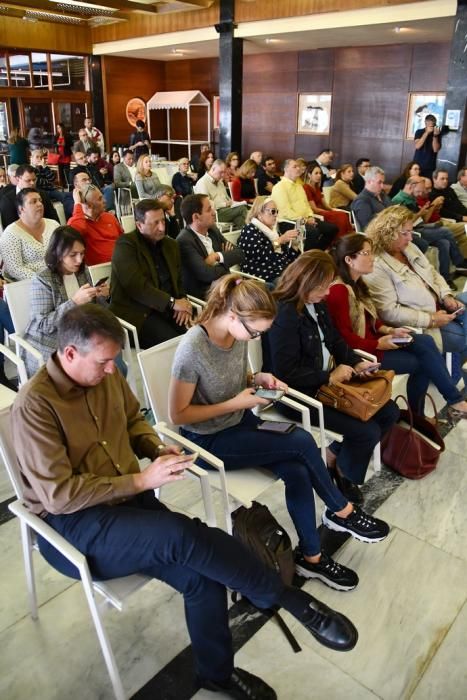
x,y
244,485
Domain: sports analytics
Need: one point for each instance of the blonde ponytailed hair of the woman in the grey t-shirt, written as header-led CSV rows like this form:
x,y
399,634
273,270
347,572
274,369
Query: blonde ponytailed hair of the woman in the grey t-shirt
x,y
247,298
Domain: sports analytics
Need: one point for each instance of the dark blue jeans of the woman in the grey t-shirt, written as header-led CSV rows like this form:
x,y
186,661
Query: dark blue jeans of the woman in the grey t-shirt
x,y
293,457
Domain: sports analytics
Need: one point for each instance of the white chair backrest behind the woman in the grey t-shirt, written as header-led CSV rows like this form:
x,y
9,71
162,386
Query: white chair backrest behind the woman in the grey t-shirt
x,y
156,369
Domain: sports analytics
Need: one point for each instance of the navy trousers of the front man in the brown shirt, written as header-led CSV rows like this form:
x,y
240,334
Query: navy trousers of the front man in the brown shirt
x,y
141,535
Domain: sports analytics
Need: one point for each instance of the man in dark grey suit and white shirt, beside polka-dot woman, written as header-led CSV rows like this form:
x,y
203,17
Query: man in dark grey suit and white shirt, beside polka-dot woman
x,y
206,254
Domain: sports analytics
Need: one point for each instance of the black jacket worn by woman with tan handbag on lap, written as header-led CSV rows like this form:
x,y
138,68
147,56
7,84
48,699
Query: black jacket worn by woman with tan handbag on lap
x,y
292,347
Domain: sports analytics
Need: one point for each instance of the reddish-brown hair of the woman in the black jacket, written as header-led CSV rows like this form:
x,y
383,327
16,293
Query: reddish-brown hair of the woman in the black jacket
x,y
312,269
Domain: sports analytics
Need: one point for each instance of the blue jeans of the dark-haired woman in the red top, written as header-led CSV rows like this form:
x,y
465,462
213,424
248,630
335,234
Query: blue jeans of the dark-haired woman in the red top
x,y
423,362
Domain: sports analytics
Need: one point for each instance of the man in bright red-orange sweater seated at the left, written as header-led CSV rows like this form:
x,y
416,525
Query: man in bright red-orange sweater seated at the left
x,y
99,228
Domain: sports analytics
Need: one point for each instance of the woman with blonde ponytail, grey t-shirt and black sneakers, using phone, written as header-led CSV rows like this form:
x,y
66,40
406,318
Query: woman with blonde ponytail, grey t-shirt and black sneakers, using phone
x,y
211,397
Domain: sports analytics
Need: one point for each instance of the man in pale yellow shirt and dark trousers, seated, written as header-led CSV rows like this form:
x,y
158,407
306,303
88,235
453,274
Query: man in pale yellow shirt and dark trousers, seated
x,y
293,206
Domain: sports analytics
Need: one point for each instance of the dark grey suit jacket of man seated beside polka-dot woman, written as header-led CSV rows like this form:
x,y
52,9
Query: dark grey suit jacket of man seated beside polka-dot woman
x,y
197,276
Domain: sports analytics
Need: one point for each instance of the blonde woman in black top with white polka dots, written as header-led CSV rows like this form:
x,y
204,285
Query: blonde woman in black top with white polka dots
x,y
267,253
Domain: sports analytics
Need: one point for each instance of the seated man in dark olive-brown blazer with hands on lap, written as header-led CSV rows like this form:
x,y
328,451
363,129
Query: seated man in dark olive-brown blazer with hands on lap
x,y
146,285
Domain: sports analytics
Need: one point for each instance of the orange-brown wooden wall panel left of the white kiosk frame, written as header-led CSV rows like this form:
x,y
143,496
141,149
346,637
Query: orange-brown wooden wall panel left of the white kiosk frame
x,y
124,78
